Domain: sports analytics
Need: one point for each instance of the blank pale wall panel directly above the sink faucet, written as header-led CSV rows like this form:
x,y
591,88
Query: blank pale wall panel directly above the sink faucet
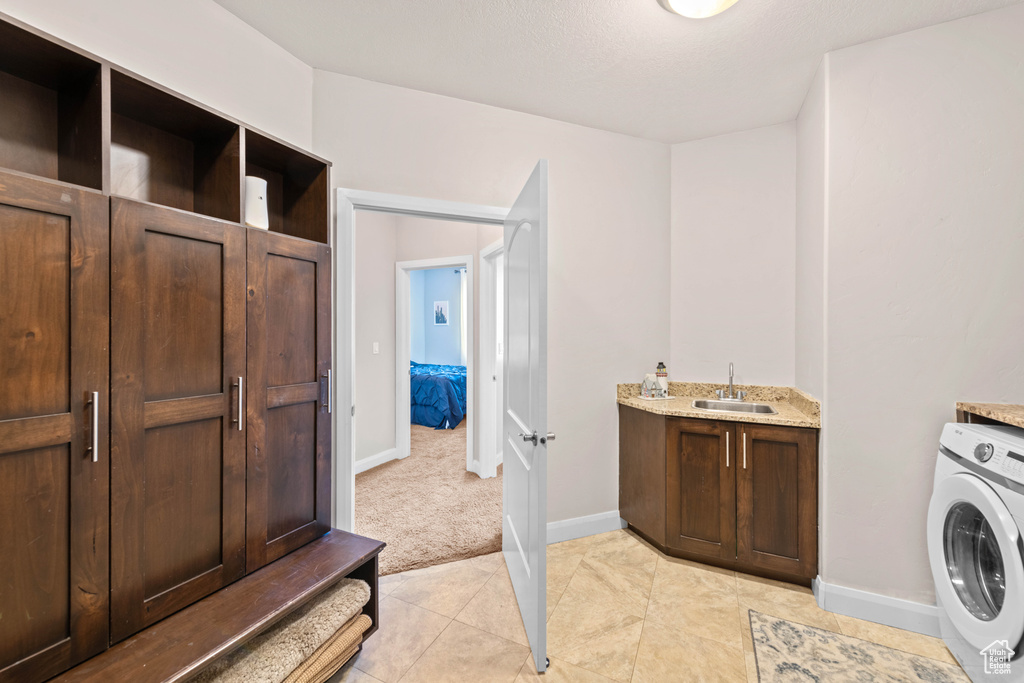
x,y
734,200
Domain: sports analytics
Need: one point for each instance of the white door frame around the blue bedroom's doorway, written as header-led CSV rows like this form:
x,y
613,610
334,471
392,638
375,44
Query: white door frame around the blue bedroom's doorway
x,y
403,354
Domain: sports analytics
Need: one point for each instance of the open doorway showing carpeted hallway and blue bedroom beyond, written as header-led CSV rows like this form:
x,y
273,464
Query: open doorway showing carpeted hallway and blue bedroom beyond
x,y
418,480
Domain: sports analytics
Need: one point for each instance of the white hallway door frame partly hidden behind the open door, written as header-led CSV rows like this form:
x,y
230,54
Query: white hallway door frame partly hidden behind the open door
x,y
490,428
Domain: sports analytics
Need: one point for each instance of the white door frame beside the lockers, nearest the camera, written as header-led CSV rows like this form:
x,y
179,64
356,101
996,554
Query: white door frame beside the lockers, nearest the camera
x,y
349,201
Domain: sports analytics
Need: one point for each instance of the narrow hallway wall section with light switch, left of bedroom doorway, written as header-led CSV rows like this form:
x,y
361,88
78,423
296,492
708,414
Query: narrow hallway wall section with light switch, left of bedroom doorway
x,y
375,249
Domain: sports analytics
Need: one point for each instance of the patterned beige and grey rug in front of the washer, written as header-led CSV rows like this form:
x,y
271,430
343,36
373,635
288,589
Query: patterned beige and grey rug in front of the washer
x,y
788,653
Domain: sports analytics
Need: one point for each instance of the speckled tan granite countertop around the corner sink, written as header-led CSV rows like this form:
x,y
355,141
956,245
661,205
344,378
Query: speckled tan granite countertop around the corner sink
x,y
796,409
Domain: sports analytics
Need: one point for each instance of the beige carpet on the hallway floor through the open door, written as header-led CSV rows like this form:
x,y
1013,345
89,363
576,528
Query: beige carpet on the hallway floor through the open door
x,y
428,507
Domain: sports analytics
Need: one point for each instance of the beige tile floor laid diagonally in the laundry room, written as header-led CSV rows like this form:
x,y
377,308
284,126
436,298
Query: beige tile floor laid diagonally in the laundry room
x,y
618,611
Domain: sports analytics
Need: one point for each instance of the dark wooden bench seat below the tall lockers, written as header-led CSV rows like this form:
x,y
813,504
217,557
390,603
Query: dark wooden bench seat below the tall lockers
x,y
186,643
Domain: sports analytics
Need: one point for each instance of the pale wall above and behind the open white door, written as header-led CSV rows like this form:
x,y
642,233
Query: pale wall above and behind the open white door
x,y
609,269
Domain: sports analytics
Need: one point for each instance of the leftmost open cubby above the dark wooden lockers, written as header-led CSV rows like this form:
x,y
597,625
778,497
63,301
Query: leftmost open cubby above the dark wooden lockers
x,y
51,110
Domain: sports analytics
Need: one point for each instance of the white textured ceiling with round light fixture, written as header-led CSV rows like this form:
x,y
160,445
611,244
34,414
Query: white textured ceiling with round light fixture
x,y
624,66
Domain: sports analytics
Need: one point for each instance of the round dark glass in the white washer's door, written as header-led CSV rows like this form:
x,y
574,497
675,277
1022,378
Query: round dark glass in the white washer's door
x,y
974,562
